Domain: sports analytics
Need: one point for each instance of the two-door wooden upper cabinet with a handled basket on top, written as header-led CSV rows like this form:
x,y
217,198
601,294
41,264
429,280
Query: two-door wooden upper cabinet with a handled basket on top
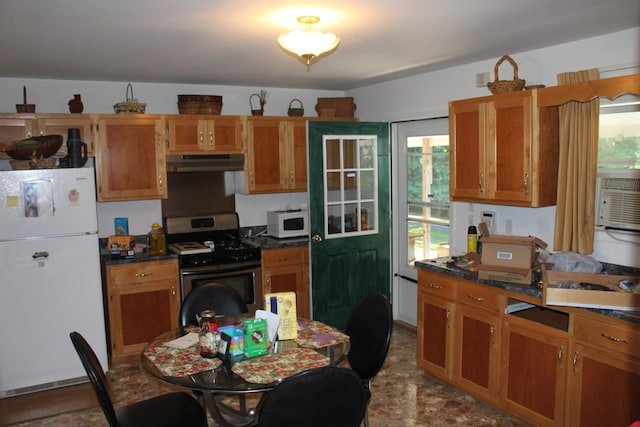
x,y
504,150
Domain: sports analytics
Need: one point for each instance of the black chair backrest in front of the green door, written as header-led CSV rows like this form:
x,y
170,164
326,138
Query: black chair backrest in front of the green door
x,y
369,329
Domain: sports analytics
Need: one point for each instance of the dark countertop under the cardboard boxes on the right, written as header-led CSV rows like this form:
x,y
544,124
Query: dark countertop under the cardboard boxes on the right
x,y
439,266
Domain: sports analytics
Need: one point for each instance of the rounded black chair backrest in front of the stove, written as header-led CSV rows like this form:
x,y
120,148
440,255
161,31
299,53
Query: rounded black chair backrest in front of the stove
x,y
221,298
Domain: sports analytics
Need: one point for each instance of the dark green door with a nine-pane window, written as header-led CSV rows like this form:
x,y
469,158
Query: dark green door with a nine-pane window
x,y
349,216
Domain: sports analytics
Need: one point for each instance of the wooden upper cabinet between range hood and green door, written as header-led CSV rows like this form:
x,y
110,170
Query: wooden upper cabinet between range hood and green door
x,y
276,155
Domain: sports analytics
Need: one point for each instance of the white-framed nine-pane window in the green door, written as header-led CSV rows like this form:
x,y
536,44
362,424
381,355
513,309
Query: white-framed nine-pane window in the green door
x,y
350,185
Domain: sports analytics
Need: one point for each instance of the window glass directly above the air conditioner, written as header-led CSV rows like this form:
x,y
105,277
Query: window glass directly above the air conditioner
x,y
619,134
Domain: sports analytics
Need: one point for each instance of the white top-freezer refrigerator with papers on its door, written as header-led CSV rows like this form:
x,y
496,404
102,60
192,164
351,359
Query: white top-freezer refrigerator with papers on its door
x,y
50,278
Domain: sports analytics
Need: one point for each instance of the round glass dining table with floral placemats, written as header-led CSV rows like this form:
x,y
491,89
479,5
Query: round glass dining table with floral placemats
x,y
174,357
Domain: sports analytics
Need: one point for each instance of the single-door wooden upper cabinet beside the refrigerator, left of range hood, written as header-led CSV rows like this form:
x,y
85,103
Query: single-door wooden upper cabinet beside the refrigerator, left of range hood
x,y
130,158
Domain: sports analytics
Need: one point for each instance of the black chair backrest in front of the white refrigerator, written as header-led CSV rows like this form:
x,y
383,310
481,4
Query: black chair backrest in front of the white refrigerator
x,y
96,375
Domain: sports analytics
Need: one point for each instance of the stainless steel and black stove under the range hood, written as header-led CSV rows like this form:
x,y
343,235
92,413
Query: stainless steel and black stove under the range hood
x,y
210,250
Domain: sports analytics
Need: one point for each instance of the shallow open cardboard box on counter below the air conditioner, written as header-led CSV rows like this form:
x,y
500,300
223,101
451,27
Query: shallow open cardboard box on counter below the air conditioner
x,y
614,299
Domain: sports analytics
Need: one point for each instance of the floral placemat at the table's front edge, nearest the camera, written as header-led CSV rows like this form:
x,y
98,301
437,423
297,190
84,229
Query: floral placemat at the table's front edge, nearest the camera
x,y
274,367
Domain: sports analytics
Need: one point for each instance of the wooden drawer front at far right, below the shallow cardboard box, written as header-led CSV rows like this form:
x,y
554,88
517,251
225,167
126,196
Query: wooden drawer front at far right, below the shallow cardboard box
x,y
603,335
